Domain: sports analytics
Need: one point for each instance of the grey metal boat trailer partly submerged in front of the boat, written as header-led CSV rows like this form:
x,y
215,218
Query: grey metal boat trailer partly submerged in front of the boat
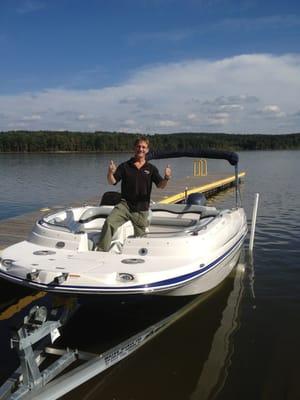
x,y
33,343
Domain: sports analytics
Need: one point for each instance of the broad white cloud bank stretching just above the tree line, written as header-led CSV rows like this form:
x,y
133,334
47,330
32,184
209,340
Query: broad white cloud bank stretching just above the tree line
x,y
245,93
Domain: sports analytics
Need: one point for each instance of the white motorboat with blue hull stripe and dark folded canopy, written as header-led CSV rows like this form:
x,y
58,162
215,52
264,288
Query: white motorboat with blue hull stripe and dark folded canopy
x,y
188,249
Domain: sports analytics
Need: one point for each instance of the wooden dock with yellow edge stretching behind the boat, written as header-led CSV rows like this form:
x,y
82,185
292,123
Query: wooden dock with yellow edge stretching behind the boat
x,y
16,229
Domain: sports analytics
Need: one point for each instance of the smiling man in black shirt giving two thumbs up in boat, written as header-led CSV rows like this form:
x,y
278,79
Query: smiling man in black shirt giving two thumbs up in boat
x,y
136,176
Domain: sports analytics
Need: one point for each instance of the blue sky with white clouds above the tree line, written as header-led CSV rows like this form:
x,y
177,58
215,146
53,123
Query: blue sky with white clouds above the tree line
x,y
150,66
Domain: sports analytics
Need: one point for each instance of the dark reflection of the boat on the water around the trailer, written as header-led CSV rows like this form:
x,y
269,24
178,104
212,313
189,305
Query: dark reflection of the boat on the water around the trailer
x,y
190,359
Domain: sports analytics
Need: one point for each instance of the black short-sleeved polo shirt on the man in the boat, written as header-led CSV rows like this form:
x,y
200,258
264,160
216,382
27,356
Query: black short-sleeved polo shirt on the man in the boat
x,y
136,183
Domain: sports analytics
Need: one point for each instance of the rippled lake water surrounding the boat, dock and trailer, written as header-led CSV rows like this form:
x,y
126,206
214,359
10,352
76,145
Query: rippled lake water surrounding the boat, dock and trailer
x,y
240,343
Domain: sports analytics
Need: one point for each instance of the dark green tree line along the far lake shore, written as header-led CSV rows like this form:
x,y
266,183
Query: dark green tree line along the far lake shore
x,y
51,141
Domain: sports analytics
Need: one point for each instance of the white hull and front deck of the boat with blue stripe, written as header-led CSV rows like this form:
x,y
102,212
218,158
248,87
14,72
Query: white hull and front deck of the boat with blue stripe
x,y
180,265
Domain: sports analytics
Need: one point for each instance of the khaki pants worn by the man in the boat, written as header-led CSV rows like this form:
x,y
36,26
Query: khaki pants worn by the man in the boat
x,y
119,215
